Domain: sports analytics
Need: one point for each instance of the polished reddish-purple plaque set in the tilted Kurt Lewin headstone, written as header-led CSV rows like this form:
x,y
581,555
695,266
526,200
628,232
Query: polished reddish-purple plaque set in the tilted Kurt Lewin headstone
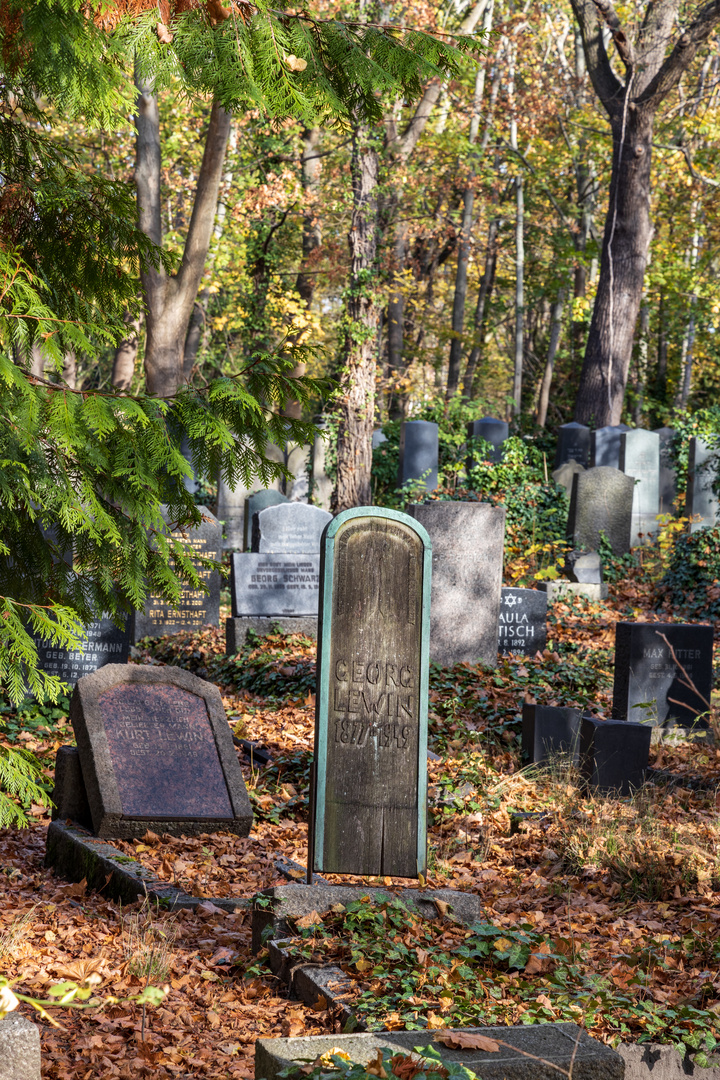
x,y
164,753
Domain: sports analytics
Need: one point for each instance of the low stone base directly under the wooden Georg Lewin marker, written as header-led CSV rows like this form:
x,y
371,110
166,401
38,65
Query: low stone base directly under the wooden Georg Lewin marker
x,y
291,902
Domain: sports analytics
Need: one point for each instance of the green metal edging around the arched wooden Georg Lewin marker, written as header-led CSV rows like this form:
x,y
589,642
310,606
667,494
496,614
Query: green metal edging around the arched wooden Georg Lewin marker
x,y
323,687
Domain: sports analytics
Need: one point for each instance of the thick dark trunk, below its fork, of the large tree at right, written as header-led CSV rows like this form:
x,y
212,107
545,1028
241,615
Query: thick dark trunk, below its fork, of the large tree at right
x,y
626,249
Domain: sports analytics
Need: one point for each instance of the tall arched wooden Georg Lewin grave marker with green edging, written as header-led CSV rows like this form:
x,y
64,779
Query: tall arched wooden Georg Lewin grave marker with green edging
x,y
371,786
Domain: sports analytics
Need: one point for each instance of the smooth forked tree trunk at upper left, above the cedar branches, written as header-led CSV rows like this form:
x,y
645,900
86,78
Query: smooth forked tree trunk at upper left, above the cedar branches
x,y
170,300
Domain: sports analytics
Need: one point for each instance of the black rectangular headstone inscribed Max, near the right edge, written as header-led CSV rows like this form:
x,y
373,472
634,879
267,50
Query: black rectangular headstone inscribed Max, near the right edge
x,y
649,683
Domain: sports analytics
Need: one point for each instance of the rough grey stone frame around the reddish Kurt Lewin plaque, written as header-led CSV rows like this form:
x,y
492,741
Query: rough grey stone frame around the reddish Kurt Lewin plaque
x,y
99,771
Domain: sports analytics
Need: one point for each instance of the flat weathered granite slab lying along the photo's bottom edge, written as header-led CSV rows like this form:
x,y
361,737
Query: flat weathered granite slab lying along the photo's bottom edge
x,y
537,1052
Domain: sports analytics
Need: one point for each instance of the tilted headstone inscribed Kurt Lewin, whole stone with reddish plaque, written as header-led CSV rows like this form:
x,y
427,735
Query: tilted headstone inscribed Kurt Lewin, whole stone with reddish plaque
x,y
157,753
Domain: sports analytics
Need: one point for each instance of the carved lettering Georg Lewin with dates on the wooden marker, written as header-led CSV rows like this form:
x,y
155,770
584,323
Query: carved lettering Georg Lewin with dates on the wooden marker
x,y
381,697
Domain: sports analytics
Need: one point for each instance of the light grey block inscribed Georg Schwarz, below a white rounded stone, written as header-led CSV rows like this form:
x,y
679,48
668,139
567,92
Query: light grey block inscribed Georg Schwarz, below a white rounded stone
x,y
275,585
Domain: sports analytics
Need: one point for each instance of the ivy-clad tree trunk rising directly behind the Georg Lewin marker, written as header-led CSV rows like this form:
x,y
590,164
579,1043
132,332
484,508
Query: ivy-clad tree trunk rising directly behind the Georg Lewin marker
x,y
357,406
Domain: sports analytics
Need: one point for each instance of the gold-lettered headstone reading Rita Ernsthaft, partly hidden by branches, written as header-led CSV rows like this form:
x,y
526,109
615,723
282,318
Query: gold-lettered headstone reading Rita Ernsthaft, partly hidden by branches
x,y
197,609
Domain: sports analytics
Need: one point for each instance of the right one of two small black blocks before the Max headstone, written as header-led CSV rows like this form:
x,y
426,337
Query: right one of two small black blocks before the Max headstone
x,y
614,754
